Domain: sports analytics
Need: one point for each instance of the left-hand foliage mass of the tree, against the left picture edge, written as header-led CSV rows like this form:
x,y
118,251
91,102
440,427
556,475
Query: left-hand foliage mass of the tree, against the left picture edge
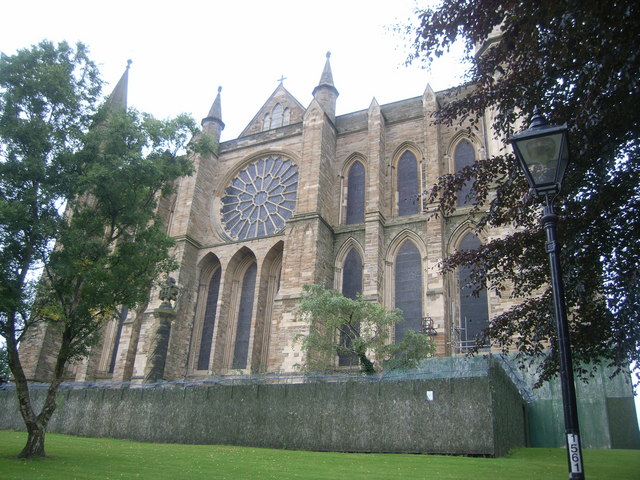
x,y
47,98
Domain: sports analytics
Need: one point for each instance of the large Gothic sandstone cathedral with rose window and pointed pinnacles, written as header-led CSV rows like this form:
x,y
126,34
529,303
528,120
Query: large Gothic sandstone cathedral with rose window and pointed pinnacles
x,y
301,196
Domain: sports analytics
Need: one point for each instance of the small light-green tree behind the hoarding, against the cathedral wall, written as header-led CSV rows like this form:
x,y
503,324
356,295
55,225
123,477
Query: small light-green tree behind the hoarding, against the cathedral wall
x,y
343,326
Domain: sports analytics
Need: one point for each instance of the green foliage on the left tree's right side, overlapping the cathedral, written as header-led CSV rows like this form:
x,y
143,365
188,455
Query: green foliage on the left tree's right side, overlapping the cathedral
x,y
113,245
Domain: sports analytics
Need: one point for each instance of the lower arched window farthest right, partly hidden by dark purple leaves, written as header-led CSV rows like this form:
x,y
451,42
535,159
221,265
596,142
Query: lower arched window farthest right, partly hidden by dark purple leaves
x,y
474,309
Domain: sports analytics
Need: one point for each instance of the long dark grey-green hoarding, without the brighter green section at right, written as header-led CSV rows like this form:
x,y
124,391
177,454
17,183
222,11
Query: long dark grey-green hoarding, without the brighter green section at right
x,y
474,412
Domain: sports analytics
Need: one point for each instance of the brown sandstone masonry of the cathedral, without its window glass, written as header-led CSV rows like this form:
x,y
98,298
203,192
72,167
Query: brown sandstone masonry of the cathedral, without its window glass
x,y
310,247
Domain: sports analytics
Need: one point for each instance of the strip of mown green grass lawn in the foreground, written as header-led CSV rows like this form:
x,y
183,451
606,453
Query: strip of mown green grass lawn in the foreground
x,y
99,458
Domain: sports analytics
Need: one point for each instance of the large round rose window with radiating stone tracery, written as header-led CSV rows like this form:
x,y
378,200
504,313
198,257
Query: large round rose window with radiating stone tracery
x,y
260,199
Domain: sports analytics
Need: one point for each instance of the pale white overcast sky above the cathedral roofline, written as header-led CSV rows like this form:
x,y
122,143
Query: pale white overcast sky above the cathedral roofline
x,y
182,51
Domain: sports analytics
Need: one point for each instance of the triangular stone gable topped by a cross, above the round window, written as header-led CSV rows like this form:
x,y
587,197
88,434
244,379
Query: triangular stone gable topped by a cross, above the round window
x,y
279,110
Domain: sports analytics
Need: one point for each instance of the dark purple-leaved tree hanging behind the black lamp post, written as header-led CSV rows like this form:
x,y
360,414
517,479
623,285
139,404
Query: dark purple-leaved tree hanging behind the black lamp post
x,y
578,61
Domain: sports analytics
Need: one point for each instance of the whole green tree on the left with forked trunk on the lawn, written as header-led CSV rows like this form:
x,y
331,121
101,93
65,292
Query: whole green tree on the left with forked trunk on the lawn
x,y
78,196
